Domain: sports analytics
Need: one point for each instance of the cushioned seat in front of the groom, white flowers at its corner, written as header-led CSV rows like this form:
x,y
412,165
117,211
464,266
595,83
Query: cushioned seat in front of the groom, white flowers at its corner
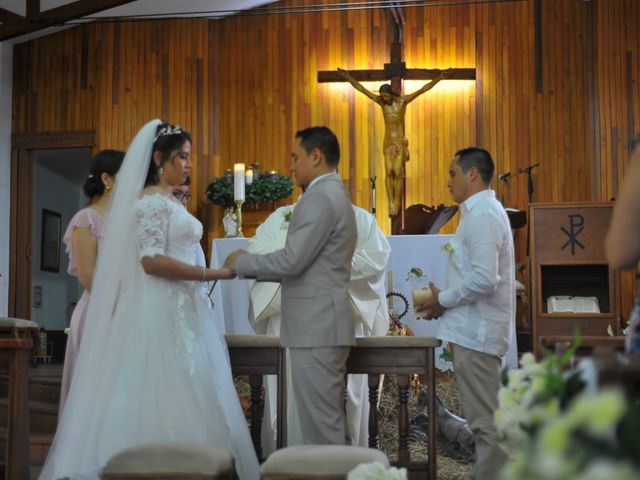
x,y
318,462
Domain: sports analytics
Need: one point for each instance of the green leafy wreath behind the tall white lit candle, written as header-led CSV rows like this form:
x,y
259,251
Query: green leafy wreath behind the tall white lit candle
x,y
265,188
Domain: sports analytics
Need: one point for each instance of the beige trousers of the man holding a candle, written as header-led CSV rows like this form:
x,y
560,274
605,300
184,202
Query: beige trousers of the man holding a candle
x,y
478,380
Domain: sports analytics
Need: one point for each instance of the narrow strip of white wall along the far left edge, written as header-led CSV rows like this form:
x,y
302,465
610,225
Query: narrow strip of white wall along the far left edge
x,y
6,59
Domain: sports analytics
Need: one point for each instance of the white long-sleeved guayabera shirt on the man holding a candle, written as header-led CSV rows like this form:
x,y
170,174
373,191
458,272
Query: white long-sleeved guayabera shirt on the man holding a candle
x,y
479,292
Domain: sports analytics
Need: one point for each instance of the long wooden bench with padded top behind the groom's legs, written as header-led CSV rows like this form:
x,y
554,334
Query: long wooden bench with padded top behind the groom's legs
x,y
257,355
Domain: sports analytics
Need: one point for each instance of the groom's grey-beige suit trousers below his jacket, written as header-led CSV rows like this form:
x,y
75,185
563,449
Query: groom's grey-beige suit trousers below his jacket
x,y
318,378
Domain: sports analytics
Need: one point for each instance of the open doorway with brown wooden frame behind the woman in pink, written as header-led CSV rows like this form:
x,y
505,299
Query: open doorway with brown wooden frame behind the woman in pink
x,y
47,173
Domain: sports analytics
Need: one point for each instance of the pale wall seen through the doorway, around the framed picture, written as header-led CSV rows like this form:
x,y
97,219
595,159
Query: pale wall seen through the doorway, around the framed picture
x,y
58,289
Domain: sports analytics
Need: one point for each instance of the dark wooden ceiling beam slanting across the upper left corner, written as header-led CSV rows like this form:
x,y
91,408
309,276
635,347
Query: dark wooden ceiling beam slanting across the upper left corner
x,y
38,20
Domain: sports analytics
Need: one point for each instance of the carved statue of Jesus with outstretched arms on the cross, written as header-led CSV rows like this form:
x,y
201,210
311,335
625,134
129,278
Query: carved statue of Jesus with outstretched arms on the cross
x,y
395,145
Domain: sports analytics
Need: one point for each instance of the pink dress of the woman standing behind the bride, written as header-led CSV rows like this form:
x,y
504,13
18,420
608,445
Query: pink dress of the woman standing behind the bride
x,y
85,218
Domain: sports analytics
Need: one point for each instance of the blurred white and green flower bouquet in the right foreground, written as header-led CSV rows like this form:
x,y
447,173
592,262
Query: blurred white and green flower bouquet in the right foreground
x,y
554,429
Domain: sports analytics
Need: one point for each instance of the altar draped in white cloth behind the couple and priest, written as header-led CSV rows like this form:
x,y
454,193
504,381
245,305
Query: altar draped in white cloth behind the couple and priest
x,y
409,254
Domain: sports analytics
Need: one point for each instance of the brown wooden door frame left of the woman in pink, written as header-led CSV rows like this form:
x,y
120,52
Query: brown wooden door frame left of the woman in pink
x,y
21,202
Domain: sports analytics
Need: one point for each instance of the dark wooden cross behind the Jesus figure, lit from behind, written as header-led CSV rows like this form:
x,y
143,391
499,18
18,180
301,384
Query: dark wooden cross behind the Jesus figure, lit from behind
x,y
396,71
